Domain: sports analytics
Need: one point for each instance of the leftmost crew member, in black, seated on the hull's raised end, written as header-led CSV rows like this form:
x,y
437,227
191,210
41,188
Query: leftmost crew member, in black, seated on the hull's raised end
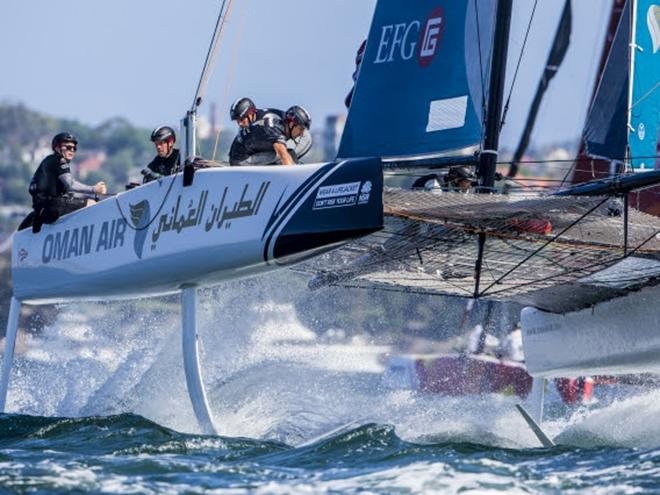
x,y
54,190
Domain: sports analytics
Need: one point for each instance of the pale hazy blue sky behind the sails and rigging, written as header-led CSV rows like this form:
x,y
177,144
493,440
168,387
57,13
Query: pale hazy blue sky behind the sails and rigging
x,y
141,59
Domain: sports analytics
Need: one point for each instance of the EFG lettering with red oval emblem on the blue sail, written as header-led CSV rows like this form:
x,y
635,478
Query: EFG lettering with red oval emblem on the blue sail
x,y
402,41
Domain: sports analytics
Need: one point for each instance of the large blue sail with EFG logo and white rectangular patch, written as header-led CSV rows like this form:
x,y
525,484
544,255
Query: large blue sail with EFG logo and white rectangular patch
x,y
422,78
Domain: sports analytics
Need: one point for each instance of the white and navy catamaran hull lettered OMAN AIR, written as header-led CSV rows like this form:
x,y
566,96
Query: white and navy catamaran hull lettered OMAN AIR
x,y
230,222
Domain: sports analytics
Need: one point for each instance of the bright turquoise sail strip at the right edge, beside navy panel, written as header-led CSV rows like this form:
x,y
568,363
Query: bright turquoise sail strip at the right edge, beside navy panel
x,y
645,106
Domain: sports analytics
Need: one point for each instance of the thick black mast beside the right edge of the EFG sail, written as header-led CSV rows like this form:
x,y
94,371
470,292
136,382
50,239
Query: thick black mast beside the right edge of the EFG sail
x,y
488,158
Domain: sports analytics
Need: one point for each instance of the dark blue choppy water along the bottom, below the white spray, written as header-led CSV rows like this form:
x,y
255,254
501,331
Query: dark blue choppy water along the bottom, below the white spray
x,y
130,454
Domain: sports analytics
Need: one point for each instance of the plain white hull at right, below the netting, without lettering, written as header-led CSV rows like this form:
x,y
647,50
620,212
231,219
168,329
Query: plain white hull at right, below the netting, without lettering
x,y
615,337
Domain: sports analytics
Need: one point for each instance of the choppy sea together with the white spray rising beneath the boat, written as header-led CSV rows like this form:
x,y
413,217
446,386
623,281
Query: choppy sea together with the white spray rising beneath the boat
x,y
98,404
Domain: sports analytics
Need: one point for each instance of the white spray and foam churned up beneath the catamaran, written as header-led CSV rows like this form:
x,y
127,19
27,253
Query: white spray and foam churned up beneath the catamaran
x,y
268,376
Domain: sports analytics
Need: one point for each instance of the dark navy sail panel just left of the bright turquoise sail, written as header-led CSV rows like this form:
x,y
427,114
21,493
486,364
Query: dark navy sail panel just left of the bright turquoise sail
x,y
605,133
